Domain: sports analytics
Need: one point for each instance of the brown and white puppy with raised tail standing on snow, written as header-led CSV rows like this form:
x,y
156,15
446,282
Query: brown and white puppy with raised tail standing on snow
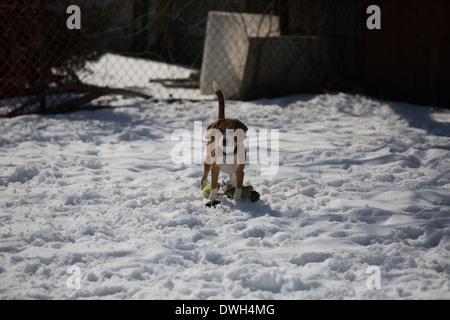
x,y
225,150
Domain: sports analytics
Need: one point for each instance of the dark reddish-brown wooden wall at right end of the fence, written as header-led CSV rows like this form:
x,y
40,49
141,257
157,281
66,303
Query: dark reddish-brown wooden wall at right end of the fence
x,y
409,58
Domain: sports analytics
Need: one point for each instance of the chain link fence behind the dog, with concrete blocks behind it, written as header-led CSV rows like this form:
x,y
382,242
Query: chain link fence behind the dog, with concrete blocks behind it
x,y
170,49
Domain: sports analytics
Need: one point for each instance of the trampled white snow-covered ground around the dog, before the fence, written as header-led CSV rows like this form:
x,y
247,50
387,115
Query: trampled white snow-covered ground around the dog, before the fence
x,y
95,197
